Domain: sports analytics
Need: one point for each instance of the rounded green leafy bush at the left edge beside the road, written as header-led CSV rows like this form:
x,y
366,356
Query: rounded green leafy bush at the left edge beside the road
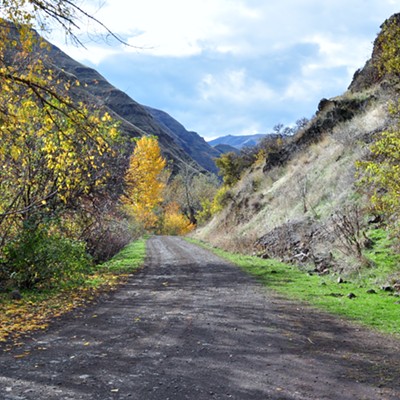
x,y
39,259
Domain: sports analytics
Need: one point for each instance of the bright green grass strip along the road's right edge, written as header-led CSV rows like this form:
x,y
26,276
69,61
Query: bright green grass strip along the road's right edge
x,y
377,310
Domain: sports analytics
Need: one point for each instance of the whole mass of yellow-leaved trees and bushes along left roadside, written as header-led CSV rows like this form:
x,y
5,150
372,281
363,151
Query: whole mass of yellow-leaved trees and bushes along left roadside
x,y
60,158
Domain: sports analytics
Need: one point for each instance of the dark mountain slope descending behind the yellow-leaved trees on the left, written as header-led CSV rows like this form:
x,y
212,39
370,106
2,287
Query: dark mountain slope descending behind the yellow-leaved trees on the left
x,y
178,145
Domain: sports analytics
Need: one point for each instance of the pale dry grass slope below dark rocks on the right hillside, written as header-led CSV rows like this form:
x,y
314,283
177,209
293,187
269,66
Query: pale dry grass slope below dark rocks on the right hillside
x,y
314,183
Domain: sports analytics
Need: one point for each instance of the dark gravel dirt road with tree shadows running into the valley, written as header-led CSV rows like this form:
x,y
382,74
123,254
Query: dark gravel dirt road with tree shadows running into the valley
x,y
191,326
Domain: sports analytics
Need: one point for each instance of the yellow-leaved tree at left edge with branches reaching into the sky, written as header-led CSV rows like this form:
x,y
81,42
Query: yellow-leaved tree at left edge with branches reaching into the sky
x,y
50,144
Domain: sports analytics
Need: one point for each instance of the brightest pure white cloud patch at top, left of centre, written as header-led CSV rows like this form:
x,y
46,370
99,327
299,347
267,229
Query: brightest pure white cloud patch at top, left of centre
x,y
175,27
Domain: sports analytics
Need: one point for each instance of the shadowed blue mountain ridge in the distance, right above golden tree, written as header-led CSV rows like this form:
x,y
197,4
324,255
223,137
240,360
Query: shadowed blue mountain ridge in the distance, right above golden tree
x,y
190,142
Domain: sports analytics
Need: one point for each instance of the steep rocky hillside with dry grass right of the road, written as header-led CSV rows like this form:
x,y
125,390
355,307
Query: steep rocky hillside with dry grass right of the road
x,y
293,205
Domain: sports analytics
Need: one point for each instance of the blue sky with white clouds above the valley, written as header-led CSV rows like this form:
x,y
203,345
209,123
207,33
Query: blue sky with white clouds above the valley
x,y
234,67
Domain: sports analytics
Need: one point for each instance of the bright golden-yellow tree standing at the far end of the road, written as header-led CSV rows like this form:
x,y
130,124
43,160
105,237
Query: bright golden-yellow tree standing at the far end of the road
x,y
143,181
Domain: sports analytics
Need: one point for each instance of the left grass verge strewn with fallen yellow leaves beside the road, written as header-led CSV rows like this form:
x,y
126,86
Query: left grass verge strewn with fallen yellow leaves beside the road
x,y
37,308
